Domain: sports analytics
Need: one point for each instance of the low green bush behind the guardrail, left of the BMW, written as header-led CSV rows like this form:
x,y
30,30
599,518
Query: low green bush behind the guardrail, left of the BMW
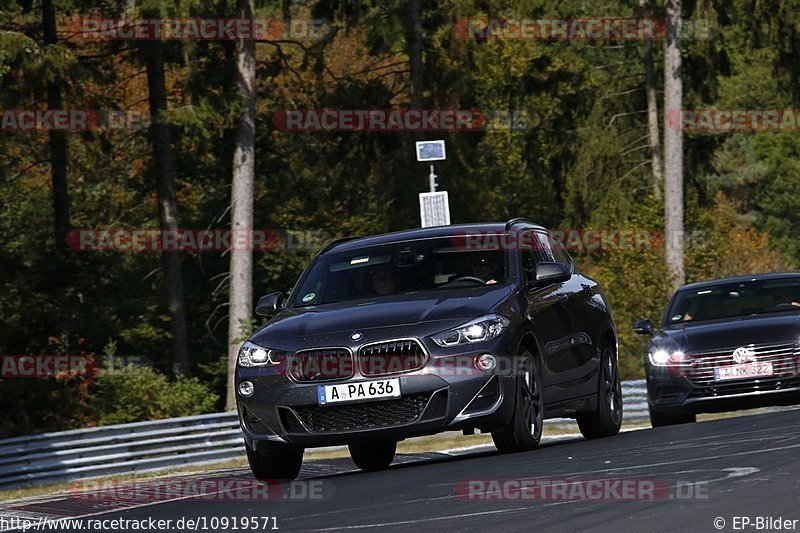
x,y
135,394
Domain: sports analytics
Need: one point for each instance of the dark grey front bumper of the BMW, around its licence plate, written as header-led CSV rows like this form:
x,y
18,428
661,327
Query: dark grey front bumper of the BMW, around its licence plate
x,y
448,393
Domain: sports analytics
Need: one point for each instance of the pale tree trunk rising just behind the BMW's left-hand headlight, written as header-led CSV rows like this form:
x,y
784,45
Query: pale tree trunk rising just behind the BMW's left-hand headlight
x,y
241,266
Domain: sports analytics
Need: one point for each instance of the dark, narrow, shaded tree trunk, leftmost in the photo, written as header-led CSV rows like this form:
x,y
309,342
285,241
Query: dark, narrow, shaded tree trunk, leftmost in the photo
x,y
58,140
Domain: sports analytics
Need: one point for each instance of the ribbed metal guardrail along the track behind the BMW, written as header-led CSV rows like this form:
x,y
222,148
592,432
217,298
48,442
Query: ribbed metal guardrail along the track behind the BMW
x,y
162,444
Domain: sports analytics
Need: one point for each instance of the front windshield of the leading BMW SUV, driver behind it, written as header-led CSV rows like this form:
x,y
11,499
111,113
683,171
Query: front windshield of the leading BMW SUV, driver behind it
x,y
402,267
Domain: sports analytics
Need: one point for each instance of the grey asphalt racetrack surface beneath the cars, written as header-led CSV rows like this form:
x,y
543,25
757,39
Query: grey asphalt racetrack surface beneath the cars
x,y
708,476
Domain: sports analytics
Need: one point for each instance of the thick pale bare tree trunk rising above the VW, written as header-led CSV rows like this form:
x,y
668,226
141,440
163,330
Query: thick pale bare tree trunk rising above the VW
x,y
673,148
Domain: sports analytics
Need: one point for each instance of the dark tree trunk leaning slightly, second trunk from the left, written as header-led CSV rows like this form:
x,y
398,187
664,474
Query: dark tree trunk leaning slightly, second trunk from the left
x,y
167,203
